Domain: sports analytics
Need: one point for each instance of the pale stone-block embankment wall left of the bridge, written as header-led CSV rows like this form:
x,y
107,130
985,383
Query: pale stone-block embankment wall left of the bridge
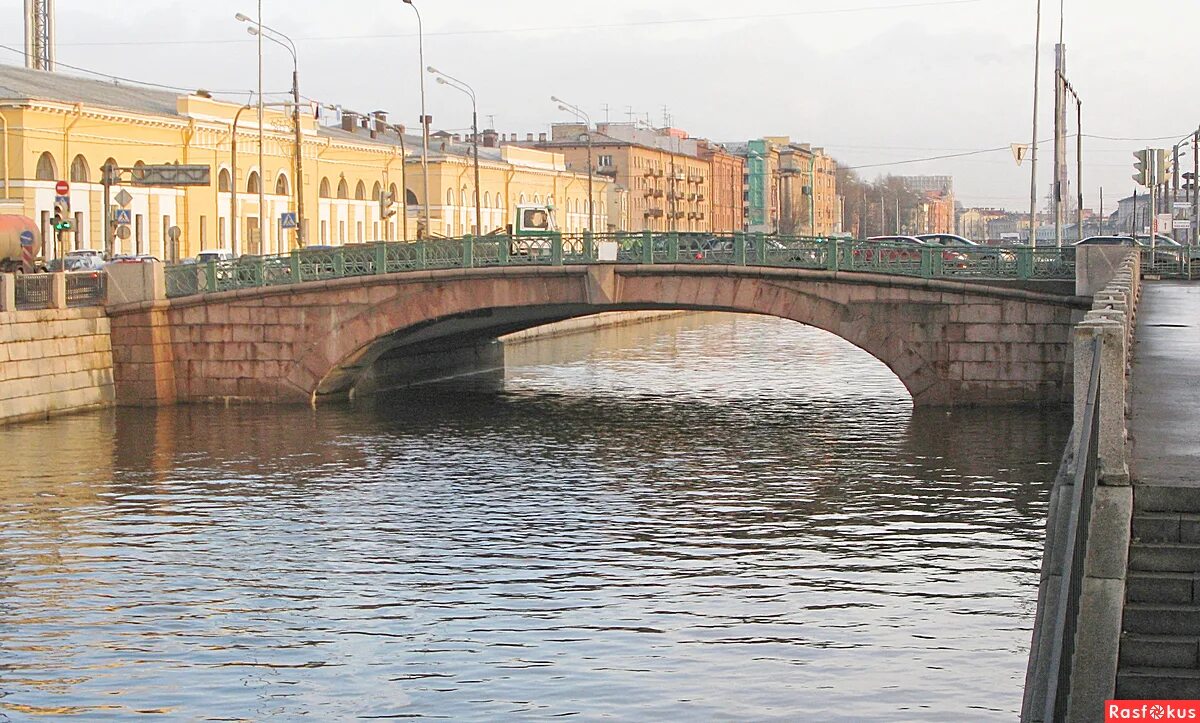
x,y
53,361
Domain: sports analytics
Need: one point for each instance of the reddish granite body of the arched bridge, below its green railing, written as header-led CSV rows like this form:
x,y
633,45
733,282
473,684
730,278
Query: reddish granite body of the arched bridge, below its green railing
x,y
950,343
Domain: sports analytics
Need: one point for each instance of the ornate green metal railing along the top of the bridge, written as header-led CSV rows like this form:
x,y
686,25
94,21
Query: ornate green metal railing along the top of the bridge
x,y
625,248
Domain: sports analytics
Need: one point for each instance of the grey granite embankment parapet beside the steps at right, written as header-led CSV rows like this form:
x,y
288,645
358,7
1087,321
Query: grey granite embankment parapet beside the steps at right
x,y
1115,279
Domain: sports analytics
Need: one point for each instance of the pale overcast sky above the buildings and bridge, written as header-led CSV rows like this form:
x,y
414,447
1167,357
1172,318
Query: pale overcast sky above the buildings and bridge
x,y
872,81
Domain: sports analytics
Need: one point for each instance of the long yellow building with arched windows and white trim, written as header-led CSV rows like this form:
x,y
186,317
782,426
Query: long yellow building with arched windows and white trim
x,y
57,128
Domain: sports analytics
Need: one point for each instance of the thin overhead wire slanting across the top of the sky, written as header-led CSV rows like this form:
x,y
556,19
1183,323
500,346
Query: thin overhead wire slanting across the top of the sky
x,y
776,16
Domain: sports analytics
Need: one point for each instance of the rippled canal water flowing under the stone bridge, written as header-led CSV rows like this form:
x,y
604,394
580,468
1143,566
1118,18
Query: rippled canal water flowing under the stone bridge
x,y
705,518
